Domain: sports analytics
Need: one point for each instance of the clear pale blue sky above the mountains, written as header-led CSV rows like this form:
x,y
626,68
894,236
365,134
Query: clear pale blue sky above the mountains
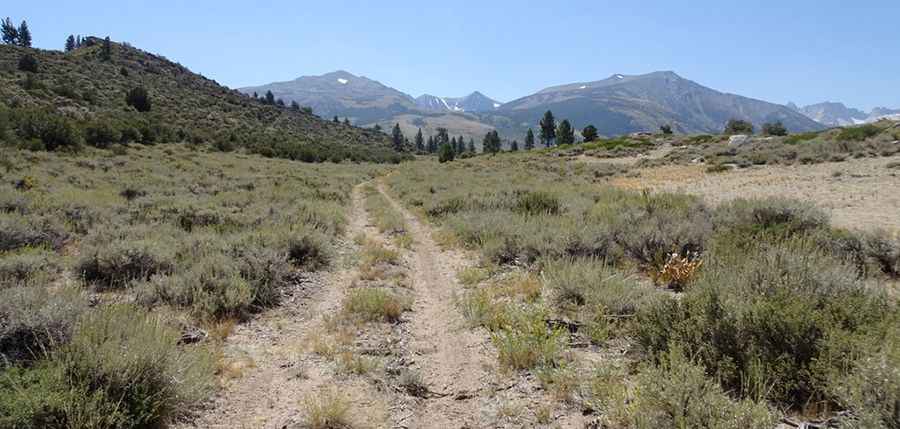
x,y
780,51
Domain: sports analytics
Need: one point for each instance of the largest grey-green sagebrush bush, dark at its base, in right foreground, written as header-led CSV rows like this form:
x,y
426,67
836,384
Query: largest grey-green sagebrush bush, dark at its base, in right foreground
x,y
757,318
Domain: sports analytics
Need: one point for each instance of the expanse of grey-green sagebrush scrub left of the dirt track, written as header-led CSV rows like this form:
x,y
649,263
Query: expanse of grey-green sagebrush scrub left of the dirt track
x,y
107,258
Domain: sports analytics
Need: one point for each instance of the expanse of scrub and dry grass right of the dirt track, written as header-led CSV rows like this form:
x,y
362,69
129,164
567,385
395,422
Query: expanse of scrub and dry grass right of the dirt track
x,y
732,315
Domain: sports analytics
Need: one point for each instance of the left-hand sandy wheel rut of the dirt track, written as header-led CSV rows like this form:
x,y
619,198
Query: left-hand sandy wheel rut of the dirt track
x,y
266,358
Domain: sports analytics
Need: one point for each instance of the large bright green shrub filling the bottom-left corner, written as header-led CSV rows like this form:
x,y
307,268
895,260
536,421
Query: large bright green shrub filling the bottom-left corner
x,y
122,369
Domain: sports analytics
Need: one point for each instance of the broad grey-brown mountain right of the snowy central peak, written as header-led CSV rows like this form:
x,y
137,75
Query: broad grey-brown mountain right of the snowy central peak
x,y
623,104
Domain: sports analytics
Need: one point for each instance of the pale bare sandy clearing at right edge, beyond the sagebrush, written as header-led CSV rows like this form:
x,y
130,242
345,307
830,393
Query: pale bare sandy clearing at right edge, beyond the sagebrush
x,y
859,193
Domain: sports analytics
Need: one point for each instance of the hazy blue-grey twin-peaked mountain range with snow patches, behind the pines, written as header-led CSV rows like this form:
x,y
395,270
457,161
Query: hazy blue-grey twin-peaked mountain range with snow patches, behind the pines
x,y
620,104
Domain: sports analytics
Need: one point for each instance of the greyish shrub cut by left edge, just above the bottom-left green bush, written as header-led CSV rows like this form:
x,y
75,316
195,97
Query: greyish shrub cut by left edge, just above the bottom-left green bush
x,y
33,320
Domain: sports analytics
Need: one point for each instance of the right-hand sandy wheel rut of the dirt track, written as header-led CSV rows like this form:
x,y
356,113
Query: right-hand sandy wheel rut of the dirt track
x,y
453,360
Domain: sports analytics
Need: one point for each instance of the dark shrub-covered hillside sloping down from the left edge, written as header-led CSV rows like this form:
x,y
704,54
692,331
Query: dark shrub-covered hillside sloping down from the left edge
x,y
185,106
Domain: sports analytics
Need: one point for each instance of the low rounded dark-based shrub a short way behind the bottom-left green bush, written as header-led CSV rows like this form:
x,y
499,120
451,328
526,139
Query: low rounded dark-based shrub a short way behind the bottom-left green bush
x,y
119,263
